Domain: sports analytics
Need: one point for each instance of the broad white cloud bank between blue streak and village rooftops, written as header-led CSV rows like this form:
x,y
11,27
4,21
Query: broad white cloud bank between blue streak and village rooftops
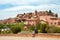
x,y
12,12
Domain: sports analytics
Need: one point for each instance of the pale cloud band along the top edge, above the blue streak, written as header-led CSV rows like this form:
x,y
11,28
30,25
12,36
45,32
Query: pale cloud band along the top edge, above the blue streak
x,y
20,2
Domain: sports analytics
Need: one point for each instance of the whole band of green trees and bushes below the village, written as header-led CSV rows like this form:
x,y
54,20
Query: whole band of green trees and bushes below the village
x,y
18,27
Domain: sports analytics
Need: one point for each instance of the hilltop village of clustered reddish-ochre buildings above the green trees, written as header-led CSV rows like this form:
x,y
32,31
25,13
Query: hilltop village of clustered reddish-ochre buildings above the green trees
x,y
32,18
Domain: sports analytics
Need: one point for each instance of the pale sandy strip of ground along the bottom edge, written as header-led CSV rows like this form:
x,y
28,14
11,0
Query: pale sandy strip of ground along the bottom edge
x,y
26,38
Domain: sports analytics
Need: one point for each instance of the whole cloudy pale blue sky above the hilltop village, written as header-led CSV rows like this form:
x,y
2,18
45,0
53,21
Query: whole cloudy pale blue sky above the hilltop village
x,y
10,8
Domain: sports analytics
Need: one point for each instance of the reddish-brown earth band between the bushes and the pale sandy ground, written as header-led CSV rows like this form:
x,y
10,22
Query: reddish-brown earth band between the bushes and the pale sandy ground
x,y
31,35
